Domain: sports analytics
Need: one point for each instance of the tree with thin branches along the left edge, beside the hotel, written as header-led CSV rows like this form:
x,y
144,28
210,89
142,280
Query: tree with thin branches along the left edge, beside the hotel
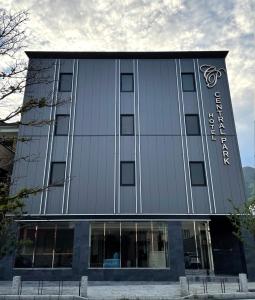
x,y
14,79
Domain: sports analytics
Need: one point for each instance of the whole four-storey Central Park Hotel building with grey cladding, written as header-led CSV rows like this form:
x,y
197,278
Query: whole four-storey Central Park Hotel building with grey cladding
x,y
141,161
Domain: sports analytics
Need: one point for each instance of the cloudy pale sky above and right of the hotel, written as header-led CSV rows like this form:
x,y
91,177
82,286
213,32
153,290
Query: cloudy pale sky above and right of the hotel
x,y
151,25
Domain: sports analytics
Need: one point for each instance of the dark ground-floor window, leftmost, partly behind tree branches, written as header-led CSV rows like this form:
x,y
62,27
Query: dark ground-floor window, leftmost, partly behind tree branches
x,y
45,246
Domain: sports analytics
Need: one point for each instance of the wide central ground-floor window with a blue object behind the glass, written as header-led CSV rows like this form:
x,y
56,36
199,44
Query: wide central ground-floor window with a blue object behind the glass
x,y
129,245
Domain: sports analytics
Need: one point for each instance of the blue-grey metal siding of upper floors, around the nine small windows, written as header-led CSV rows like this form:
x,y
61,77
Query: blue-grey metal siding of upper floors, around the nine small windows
x,y
161,150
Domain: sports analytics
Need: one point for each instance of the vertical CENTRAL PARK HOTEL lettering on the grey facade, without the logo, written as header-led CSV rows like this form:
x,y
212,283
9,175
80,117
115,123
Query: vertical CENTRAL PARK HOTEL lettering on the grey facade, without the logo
x,y
221,128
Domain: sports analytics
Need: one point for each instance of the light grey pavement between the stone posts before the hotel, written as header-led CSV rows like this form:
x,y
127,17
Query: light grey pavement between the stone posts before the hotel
x,y
124,290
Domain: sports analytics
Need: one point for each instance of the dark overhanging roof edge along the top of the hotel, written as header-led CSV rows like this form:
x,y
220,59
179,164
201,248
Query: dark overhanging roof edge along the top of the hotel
x,y
123,55
